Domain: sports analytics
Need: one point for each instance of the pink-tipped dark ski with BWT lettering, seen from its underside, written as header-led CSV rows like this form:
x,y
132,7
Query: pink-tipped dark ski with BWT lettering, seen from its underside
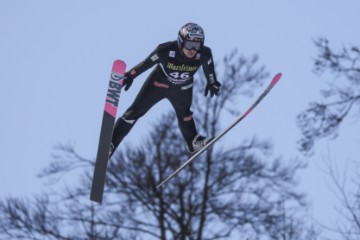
x,y
111,105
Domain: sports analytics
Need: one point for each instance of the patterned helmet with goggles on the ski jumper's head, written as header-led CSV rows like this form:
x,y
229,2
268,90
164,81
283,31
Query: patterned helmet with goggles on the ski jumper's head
x,y
191,36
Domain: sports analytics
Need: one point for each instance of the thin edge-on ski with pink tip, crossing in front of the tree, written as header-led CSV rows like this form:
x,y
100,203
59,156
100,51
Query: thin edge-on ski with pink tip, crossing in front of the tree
x,y
275,79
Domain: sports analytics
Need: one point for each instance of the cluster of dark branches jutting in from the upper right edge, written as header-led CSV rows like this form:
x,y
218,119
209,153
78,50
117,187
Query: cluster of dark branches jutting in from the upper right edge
x,y
322,119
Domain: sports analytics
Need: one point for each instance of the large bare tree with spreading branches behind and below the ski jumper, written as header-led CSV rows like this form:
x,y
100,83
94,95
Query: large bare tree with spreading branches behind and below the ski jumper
x,y
226,192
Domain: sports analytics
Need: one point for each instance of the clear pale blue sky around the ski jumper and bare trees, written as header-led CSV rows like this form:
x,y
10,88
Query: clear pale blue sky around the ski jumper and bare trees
x,y
55,59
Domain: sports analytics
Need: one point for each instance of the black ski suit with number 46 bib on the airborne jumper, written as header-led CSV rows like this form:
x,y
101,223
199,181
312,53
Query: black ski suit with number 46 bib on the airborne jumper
x,y
172,79
